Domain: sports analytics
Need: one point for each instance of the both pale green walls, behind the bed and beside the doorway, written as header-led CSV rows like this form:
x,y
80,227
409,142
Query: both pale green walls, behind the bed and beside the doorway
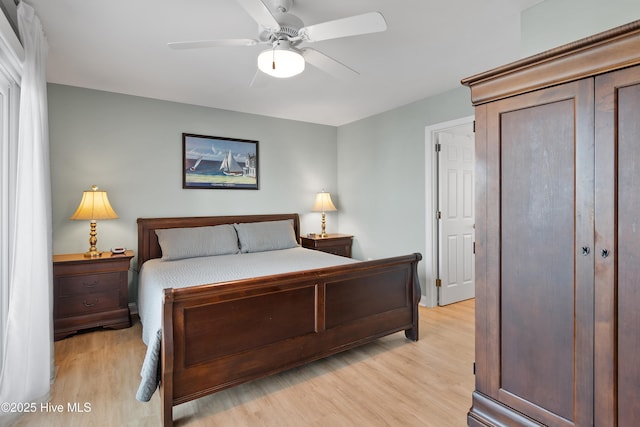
x,y
131,147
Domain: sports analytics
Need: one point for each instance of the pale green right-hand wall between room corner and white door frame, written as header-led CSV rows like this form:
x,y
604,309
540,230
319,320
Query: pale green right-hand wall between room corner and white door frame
x,y
383,178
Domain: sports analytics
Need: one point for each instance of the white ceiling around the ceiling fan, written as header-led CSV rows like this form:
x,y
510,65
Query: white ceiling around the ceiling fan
x,y
121,46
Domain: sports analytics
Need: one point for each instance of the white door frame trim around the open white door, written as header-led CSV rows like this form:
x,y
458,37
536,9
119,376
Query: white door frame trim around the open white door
x,y
430,299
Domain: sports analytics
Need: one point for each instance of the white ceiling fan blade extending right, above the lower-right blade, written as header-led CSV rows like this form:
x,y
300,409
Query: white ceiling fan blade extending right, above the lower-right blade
x,y
366,23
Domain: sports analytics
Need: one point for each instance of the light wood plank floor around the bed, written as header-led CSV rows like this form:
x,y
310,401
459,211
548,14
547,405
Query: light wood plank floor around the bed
x,y
391,382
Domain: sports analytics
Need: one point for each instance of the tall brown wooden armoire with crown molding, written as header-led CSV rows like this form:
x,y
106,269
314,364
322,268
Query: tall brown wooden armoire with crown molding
x,y
558,236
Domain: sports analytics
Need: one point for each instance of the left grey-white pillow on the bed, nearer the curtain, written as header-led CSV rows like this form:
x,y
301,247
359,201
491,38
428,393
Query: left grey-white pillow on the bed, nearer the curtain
x,y
191,242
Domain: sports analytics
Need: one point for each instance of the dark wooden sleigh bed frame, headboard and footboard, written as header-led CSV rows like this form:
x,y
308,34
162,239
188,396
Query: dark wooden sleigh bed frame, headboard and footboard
x,y
216,336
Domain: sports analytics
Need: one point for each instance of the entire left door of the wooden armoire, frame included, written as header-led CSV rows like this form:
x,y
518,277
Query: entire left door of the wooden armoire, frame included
x,y
539,202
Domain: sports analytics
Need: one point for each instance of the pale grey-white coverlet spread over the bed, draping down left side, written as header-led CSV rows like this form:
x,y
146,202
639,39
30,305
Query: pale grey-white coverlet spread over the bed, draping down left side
x,y
157,275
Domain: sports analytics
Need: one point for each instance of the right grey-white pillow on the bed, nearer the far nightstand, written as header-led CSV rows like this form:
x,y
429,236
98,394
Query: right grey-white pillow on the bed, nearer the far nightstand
x,y
266,235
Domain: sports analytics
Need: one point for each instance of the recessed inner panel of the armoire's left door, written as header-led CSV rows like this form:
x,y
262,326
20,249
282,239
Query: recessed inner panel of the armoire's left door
x,y
538,281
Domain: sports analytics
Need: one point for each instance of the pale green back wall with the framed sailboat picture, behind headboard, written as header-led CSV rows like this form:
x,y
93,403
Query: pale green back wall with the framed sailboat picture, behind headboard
x,y
132,148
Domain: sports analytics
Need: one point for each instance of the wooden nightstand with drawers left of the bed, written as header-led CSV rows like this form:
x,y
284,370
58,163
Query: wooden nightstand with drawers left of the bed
x,y
90,292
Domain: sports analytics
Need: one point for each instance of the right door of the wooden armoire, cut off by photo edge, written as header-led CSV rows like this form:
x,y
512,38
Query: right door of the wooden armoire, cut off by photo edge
x,y
618,131
